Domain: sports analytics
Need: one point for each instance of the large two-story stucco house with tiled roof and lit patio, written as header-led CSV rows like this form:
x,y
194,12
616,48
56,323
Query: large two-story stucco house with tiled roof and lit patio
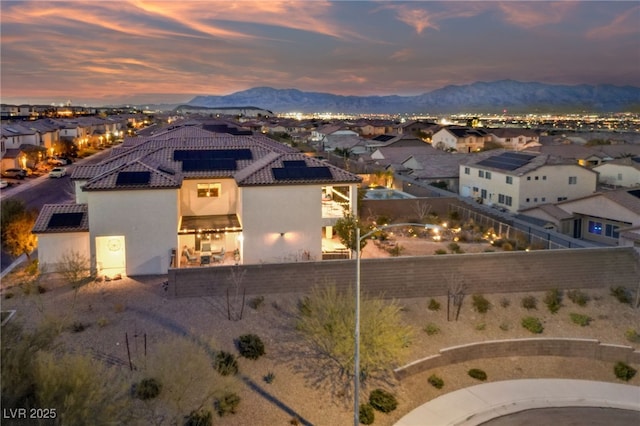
x,y
187,187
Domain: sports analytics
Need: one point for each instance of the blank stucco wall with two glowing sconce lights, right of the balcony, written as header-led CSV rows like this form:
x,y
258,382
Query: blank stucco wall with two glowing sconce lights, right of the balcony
x,y
267,212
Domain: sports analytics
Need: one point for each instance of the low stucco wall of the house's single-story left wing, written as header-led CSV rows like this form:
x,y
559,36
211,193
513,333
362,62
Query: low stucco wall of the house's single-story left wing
x,y
51,247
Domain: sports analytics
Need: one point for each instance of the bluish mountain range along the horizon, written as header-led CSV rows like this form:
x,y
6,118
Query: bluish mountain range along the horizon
x,y
485,97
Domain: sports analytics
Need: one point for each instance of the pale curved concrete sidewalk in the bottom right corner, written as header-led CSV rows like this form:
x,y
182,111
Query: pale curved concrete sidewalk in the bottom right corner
x,y
478,404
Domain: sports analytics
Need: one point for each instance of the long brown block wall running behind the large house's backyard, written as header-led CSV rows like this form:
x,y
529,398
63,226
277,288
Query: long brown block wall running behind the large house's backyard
x,y
425,276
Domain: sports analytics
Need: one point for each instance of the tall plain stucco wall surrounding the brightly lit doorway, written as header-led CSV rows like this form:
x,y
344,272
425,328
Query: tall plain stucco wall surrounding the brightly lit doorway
x,y
148,221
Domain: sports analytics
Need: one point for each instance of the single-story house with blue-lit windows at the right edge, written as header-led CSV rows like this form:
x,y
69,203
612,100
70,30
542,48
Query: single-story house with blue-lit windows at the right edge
x,y
600,217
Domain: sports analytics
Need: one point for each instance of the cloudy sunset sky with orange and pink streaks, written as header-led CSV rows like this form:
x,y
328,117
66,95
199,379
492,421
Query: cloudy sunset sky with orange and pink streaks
x,y
106,52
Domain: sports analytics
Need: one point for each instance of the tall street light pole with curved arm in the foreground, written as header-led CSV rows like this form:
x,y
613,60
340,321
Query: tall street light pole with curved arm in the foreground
x,y
356,357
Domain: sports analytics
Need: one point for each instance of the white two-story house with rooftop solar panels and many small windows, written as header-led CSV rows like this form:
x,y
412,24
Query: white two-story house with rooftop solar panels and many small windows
x,y
520,180
